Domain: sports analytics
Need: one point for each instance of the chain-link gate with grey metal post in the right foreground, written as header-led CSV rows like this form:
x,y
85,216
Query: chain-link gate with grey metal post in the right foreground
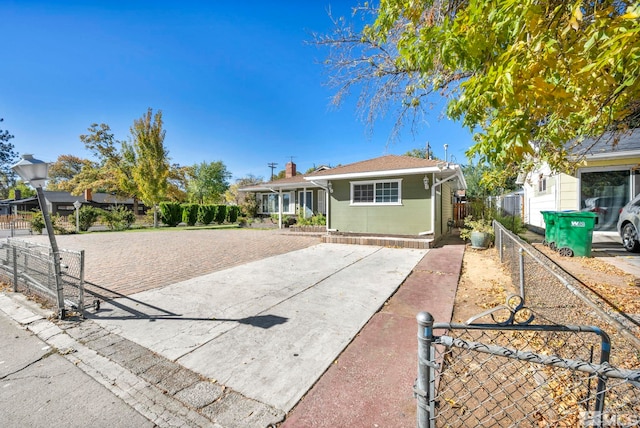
x,y
521,375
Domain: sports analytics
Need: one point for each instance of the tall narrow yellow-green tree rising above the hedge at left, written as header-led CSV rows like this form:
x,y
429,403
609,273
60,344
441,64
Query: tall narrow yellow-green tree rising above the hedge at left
x,y
148,159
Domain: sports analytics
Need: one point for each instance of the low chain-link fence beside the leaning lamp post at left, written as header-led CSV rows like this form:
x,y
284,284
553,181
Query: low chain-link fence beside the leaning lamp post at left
x,y
29,267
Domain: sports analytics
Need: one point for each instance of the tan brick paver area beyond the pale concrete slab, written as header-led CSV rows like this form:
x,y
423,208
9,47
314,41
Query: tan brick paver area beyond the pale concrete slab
x,y
123,263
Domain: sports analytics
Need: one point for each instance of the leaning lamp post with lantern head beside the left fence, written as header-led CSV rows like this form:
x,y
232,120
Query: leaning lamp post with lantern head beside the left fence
x,y
34,172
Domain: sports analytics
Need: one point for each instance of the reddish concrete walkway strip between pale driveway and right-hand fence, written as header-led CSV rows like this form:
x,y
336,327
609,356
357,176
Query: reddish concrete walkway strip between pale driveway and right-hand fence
x,y
370,384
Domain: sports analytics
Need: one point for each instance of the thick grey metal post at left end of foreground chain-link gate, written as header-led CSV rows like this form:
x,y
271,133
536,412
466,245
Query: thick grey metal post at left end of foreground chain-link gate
x,y
421,388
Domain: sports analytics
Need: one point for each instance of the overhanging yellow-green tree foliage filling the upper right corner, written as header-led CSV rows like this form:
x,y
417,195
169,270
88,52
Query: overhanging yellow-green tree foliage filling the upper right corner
x,y
531,78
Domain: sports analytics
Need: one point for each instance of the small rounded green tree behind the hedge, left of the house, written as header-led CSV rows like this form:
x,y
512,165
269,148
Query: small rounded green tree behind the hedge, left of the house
x,y
207,182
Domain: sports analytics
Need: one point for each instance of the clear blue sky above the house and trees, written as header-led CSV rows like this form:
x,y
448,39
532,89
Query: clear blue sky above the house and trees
x,y
236,83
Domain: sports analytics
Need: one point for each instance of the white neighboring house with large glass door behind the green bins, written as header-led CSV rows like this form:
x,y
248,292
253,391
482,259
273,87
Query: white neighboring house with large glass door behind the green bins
x,y
608,179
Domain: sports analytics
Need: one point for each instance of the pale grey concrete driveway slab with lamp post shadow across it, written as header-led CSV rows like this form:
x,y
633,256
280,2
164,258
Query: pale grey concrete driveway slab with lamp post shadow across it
x,y
267,329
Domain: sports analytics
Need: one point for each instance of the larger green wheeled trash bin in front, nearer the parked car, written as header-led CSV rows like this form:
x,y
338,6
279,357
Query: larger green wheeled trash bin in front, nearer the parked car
x,y
575,232
